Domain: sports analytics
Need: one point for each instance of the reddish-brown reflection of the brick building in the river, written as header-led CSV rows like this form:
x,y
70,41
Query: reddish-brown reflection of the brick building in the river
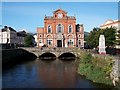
x,y
58,75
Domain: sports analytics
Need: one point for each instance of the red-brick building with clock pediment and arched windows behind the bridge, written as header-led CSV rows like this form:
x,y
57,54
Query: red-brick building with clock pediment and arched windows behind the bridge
x,y
60,31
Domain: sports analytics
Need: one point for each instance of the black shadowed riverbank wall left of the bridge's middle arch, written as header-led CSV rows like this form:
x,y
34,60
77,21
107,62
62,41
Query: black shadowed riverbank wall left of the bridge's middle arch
x,y
16,55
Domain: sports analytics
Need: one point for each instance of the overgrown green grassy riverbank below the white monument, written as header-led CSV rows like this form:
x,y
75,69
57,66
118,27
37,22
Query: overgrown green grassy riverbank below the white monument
x,y
96,68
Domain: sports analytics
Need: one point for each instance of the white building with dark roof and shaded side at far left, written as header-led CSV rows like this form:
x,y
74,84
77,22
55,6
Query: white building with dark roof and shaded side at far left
x,y
9,37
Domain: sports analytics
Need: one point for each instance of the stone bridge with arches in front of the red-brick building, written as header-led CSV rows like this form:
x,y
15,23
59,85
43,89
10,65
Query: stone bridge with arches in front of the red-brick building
x,y
56,51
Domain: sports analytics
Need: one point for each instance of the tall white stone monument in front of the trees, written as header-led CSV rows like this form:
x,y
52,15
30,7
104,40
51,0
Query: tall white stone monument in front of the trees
x,y
102,45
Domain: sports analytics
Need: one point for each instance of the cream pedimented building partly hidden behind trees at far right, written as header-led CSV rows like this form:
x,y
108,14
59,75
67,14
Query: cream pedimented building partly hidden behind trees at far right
x,y
112,23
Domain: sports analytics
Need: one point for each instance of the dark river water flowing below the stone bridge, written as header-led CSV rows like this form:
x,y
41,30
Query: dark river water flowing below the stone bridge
x,y
46,74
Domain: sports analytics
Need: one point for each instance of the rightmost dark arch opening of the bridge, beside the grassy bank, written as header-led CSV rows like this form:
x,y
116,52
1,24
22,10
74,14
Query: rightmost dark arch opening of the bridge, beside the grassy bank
x,y
67,55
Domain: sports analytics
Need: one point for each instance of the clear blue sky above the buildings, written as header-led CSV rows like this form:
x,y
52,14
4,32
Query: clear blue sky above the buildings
x,y
30,15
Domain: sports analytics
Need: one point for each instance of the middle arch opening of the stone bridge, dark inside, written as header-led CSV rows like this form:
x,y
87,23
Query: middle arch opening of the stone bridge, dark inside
x,y
48,55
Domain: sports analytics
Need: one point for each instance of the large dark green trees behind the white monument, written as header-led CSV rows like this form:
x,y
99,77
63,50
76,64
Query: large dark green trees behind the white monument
x,y
109,33
